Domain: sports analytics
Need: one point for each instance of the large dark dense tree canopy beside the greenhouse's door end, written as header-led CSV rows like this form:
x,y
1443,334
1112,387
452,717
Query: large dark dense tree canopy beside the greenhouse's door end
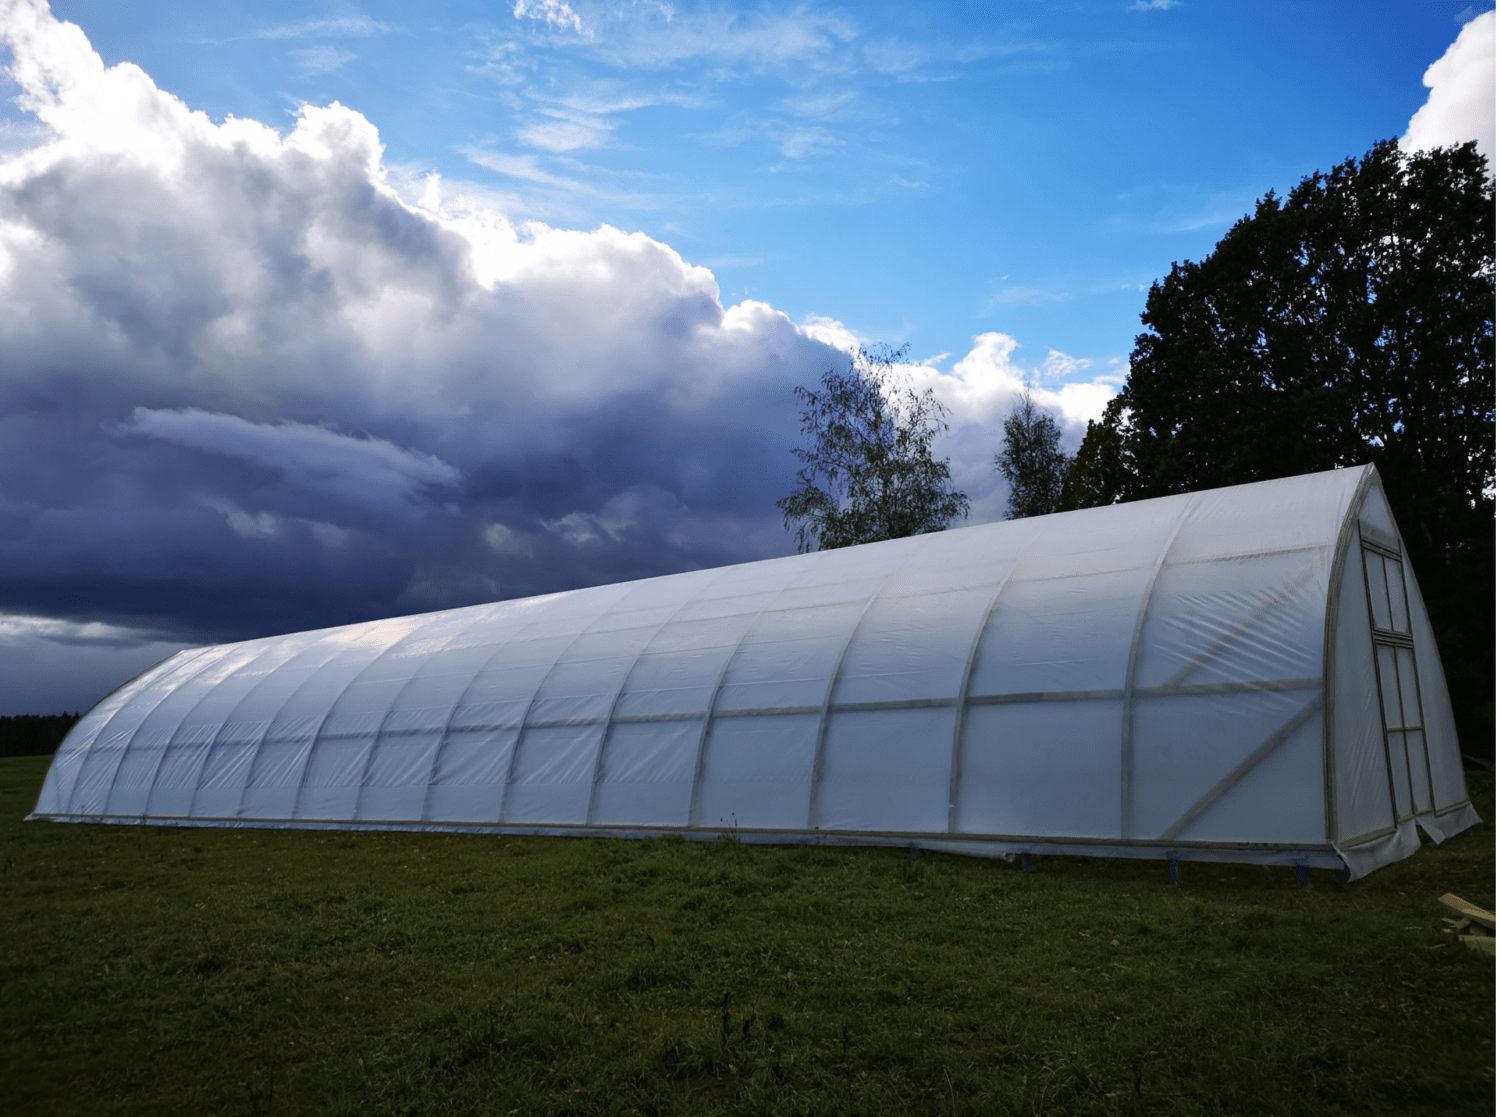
x,y
1349,323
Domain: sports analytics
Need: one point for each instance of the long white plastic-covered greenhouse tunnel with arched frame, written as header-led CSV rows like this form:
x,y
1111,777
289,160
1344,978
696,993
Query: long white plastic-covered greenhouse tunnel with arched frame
x,y
1244,674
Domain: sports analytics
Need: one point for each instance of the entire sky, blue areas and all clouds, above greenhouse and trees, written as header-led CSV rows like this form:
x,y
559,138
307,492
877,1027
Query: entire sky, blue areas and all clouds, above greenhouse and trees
x,y
314,314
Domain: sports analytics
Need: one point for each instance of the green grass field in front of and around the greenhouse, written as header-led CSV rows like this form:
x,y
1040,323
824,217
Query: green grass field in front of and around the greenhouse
x,y
190,971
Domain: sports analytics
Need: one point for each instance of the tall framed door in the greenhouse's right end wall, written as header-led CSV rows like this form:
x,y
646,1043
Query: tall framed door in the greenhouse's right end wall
x,y
1400,693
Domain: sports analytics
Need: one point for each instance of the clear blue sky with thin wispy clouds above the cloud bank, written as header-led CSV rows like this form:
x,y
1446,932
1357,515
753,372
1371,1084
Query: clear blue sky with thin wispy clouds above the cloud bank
x,y
919,173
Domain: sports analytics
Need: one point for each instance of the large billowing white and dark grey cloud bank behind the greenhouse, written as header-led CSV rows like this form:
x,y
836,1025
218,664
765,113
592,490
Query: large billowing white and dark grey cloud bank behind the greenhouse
x,y
250,386
